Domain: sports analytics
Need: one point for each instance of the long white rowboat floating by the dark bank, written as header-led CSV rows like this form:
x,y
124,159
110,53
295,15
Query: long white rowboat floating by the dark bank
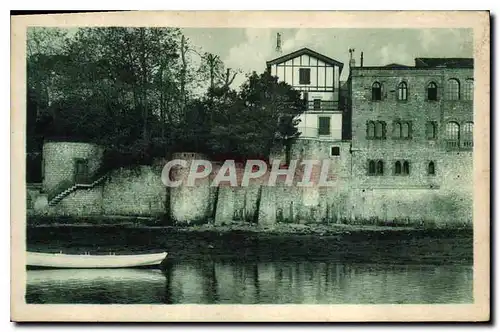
x,y
92,261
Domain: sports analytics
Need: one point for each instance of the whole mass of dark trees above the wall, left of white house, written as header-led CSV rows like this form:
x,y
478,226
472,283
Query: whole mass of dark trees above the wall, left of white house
x,y
133,90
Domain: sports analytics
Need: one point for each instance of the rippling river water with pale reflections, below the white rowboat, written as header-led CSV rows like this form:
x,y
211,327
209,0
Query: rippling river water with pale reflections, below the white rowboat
x,y
246,283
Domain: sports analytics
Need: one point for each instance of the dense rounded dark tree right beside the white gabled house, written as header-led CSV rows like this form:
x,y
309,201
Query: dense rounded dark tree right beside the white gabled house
x,y
247,124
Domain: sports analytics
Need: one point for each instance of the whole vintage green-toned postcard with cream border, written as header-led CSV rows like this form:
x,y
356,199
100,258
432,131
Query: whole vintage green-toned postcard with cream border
x,y
250,166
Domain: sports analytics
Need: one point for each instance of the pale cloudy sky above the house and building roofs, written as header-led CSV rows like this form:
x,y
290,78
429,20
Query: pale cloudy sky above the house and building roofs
x,y
249,49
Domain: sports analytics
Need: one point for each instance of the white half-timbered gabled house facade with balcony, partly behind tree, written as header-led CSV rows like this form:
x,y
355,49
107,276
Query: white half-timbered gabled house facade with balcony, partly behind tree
x,y
318,78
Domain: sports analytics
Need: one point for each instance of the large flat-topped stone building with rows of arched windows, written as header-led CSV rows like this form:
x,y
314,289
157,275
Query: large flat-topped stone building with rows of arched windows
x,y
412,139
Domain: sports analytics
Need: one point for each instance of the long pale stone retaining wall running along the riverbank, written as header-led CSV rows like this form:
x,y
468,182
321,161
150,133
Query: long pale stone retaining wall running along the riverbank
x,y
442,198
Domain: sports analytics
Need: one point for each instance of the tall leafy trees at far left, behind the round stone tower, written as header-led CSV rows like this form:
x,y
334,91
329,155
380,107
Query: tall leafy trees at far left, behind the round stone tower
x,y
100,80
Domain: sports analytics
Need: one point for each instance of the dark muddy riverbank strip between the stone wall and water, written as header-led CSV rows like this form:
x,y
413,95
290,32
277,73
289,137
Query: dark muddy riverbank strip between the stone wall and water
x,y
246,242
